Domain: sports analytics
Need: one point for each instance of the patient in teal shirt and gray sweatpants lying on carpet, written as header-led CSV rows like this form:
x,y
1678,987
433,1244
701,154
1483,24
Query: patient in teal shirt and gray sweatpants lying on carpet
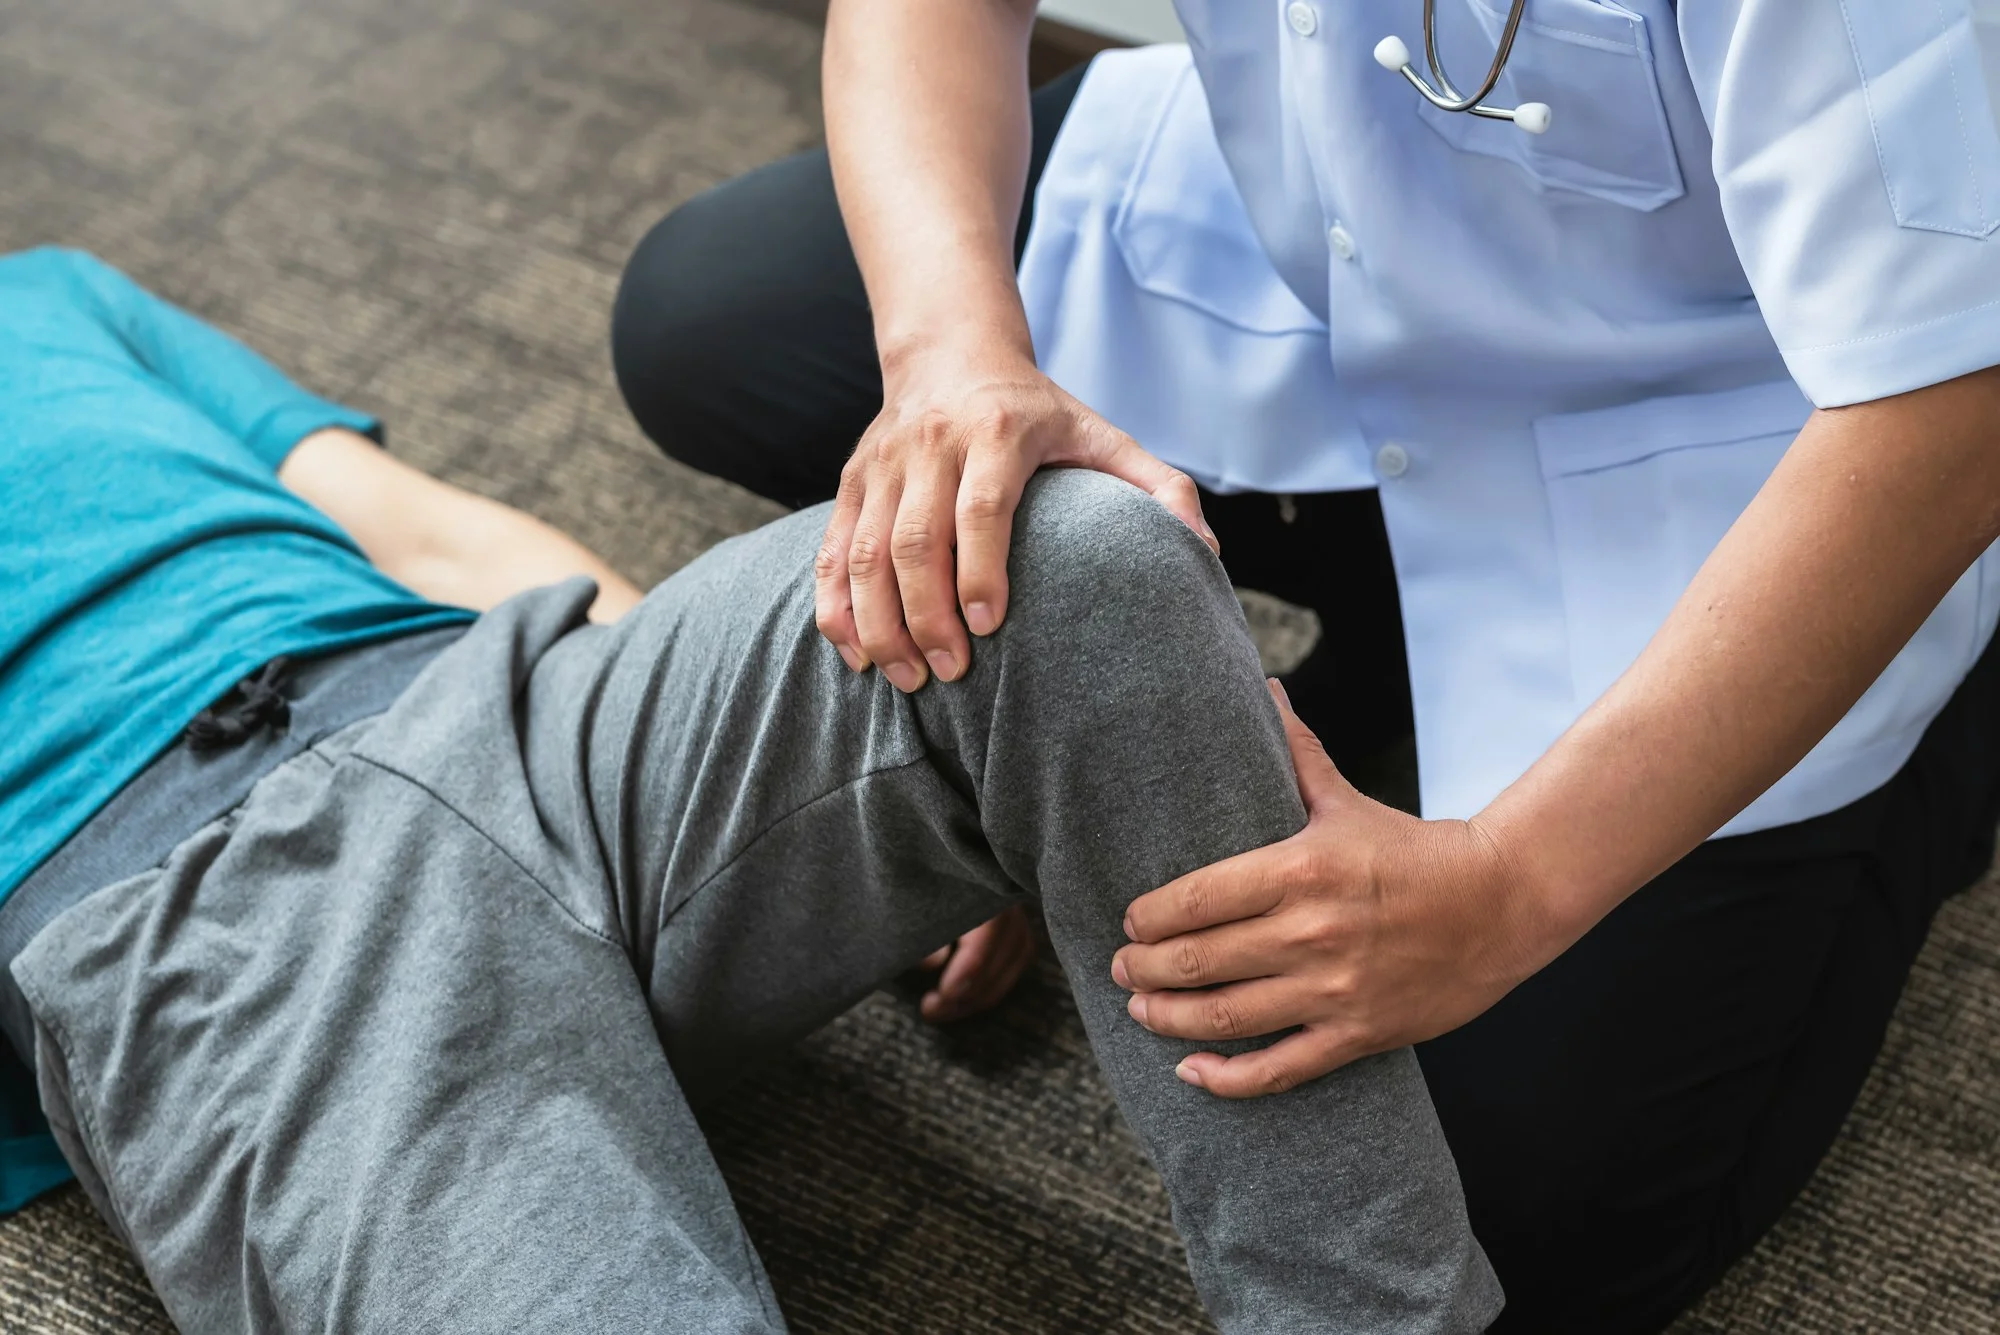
x,y
369,952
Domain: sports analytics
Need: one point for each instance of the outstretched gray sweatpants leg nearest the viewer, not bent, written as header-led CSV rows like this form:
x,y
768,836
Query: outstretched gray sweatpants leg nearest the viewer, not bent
x,y
343,1064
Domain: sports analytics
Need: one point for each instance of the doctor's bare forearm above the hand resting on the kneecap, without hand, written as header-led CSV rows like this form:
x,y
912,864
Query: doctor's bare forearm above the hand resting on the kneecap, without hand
x,y
927,127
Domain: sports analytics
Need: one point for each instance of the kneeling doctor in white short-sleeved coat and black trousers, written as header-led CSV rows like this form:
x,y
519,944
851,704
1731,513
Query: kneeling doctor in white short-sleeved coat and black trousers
x,y
1649,465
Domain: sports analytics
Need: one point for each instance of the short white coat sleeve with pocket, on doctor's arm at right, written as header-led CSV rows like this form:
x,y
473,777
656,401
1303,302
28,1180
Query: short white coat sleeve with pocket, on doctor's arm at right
x,y
1859,159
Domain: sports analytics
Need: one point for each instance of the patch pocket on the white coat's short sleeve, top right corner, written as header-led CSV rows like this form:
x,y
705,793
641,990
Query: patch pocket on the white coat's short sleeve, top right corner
x,y
1931,109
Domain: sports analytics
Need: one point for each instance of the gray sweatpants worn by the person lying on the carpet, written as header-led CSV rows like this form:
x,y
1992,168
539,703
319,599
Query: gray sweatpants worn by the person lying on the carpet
x,y
407,1042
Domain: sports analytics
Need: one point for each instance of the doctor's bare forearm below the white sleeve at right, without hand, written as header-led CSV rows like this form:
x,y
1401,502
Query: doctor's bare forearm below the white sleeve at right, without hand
x,y
1863,529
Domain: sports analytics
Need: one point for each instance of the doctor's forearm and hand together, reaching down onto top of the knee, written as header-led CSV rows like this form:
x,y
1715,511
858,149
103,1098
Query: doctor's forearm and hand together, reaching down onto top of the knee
x,y
929,131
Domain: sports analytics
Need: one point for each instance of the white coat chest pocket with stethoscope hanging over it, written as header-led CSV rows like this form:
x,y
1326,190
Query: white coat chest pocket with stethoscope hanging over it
x,y
1593,63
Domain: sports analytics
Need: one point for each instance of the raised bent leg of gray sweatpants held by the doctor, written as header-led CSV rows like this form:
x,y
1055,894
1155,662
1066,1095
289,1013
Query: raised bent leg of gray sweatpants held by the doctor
x,y
779,836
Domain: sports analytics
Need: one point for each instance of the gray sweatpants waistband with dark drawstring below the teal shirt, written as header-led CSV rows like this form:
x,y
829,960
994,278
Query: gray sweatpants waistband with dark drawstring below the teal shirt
x,y
183,790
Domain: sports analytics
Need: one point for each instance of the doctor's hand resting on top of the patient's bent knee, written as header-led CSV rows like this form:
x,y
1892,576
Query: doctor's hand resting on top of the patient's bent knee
x,y
915,553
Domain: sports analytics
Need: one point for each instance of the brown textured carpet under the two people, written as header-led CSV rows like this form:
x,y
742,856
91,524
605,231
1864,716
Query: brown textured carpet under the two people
x,y
423,209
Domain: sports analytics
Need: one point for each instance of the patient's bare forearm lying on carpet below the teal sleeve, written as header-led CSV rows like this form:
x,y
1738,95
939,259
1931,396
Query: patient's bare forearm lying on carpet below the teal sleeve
x,y
441,541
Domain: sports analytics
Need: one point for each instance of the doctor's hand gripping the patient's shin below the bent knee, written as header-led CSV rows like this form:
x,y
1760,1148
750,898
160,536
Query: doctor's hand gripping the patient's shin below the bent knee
x,y
1367,930
